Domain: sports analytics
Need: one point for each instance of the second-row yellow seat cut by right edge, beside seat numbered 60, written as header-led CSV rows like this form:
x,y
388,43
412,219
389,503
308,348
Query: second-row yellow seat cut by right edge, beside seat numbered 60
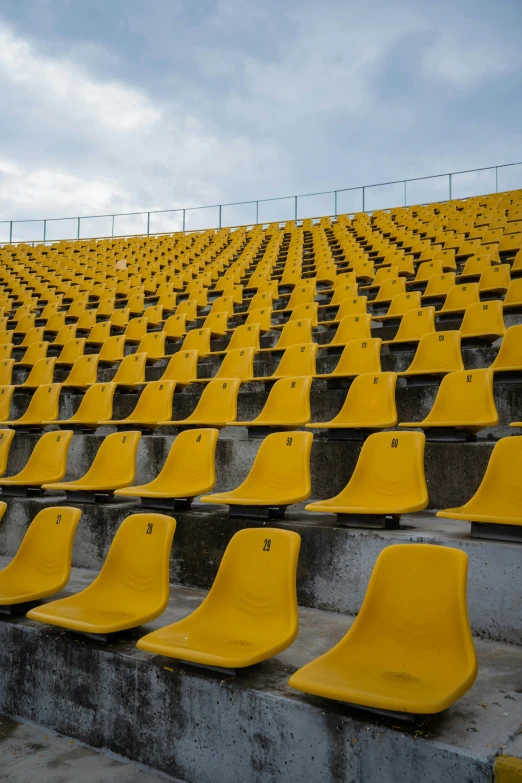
x,y
495,510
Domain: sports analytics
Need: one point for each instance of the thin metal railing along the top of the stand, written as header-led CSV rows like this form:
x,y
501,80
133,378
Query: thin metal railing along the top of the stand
x,y
342,200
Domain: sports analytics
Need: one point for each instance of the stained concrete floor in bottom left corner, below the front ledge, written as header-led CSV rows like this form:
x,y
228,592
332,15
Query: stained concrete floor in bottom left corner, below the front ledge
x,y
29,754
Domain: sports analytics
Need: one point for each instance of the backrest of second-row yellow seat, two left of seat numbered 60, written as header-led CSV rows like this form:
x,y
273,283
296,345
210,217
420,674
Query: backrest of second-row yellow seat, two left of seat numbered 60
x,y
191,460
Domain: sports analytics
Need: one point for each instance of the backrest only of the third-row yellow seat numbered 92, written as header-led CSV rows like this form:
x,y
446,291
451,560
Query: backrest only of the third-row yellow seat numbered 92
x,y
465,396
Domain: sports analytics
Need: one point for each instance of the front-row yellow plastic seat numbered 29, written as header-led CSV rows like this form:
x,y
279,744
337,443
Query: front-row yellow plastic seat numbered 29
x,y
228,630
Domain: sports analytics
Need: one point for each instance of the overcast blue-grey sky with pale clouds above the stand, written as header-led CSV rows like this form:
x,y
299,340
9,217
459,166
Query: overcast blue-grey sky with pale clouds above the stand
x,y
120,105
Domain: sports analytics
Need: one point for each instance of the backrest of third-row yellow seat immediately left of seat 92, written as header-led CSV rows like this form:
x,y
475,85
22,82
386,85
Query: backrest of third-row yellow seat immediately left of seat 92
x,y
370,401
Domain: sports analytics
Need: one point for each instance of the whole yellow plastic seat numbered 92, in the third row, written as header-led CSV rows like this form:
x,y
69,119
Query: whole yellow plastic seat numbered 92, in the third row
x,y
464,403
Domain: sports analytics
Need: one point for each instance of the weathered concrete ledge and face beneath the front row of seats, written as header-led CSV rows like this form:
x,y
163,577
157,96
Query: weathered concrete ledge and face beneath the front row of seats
x,y
201,727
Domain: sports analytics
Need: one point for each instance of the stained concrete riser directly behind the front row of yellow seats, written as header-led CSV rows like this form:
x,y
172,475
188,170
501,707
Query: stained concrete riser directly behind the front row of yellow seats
x,y
334,564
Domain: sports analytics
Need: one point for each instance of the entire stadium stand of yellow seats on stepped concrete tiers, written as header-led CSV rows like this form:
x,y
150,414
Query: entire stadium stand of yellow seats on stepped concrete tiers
x,y
353,382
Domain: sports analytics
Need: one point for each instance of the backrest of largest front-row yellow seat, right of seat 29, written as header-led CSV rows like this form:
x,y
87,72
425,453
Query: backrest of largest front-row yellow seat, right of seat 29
x,y
416,601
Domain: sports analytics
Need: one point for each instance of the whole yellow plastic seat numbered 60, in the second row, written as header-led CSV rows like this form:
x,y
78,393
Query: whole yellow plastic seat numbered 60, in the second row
x,y
388,481
